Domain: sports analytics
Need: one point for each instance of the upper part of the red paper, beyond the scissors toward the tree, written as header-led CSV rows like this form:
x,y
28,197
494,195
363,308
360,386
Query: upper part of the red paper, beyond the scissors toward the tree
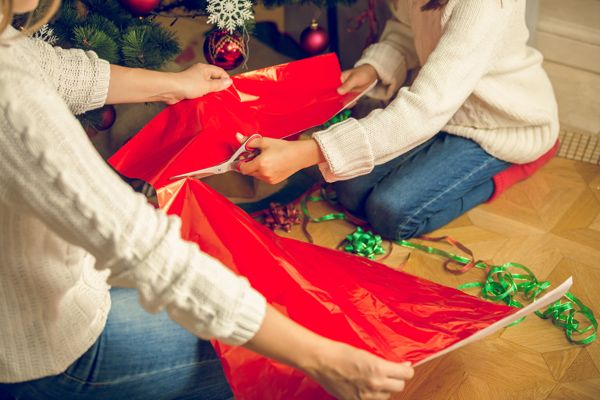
x,y
277,102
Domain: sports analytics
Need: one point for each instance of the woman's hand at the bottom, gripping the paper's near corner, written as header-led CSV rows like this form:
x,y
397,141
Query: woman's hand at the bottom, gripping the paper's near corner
x,y
350,373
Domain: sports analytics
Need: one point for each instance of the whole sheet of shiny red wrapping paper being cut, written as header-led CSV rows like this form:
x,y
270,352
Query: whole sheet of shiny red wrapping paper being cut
x,y
341,296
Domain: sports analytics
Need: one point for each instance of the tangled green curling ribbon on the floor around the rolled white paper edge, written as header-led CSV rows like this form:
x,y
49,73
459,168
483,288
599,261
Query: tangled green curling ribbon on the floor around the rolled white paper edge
x,y
505,282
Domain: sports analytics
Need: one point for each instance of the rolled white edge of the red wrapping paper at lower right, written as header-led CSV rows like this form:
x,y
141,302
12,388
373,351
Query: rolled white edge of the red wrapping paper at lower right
x,y
542,302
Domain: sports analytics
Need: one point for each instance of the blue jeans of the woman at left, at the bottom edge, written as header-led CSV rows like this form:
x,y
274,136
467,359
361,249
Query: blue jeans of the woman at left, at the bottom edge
x,y
138,356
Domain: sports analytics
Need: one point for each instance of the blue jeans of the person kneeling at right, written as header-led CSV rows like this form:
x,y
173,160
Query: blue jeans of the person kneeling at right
x,y
424,189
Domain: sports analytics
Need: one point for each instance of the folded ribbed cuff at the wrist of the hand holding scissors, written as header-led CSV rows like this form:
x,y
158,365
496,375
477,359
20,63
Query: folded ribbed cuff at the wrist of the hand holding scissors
x,y
346,150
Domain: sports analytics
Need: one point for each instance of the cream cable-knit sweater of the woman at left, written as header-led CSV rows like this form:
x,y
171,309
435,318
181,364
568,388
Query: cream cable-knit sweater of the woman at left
x,y
69,227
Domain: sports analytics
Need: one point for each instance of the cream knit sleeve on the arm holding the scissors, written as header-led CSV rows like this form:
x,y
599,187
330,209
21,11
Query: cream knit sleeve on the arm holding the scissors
x,y
461,58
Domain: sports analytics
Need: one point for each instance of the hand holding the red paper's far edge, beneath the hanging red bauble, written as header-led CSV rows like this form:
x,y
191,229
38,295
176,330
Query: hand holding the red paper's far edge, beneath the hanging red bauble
x,y
198,80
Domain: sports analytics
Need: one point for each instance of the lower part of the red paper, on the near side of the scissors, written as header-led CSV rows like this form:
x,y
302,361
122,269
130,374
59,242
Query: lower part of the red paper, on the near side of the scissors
x,y
341,296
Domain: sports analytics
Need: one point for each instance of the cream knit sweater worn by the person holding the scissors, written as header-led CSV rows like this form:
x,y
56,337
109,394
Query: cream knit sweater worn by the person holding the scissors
x,y
479,80
